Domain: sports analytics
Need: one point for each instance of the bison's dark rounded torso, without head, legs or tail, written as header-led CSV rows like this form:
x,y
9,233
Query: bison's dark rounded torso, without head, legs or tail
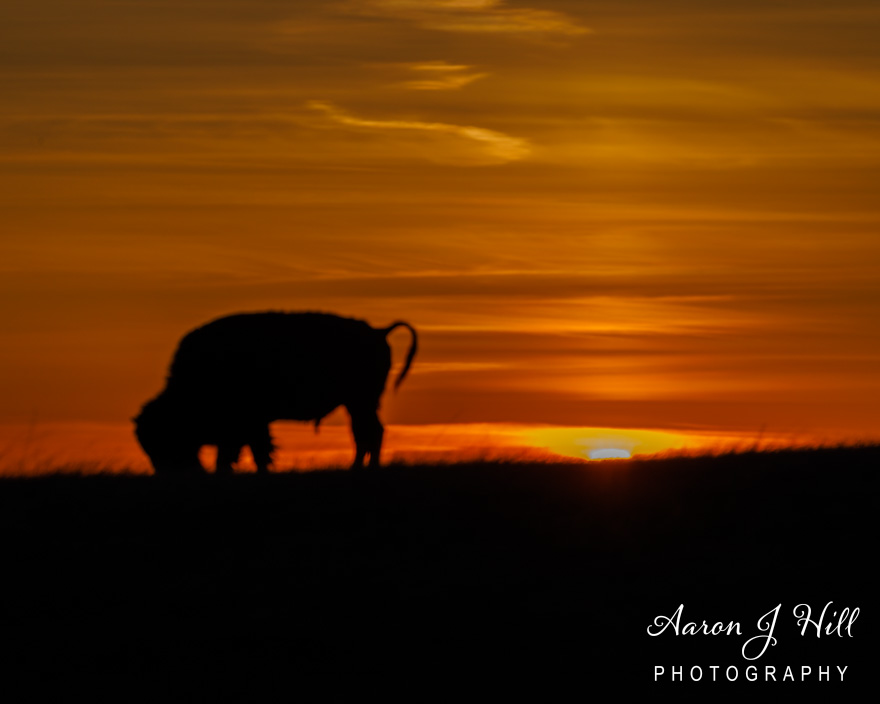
x,y
280,365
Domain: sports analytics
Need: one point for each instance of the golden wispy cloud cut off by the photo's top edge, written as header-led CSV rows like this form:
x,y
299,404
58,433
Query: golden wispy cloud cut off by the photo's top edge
x,y
491,16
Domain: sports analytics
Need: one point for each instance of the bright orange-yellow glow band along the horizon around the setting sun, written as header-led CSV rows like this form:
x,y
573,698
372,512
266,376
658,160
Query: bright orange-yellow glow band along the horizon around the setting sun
x,y
89,448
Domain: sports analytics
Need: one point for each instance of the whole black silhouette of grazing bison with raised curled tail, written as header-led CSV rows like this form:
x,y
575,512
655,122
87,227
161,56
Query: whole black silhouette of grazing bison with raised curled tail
x,y
232,377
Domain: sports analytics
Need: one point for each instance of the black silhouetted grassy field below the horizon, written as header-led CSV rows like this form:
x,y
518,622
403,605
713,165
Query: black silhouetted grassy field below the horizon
x,y
470,575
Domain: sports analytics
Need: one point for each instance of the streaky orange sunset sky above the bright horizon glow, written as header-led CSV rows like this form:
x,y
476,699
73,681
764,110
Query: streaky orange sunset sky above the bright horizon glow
x,y
620,215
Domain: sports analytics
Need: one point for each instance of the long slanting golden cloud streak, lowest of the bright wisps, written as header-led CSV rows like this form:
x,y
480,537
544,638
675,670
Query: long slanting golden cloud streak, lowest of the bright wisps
x,y
493,147
